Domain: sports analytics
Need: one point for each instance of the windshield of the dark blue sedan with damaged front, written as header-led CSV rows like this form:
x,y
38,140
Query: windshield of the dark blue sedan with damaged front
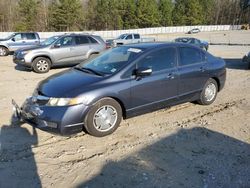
x,y
112,60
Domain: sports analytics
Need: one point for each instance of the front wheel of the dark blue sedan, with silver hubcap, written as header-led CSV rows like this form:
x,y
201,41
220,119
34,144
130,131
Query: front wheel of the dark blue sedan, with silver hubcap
x,y
95,116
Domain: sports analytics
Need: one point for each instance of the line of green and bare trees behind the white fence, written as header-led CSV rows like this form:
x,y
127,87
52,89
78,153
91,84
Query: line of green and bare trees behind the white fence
x,y
78,15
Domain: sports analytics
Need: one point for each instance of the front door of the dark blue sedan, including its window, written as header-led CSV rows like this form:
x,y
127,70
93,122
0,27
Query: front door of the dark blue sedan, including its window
x,y
159,87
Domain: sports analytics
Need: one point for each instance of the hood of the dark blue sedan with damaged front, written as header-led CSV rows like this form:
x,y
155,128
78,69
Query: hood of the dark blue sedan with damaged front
x,y
69,83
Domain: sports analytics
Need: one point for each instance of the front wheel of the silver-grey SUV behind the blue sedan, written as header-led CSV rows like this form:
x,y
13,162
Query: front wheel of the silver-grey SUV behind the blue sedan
x,y
41,65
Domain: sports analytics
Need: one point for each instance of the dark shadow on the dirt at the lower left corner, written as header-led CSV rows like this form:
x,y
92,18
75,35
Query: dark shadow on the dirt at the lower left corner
x,y
17,163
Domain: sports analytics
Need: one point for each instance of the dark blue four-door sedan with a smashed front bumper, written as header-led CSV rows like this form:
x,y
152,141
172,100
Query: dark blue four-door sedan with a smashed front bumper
x,y
123,82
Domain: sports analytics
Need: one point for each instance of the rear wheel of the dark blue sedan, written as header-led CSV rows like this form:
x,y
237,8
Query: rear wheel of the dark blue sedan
x,y
204,98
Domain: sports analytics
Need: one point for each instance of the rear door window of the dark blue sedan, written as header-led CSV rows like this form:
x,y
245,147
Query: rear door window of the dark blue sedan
x,y
189,56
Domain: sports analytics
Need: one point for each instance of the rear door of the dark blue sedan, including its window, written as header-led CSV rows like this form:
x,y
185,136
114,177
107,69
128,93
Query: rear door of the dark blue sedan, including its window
x,y
192,69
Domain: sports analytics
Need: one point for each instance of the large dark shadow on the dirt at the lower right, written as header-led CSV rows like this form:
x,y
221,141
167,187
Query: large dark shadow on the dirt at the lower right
x,y
195,157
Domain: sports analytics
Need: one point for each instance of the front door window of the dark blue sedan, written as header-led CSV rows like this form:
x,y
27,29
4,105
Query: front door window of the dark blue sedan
x,y
159,60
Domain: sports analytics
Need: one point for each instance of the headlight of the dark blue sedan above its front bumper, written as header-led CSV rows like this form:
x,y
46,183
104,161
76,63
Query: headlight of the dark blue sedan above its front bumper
x,y
67,101
